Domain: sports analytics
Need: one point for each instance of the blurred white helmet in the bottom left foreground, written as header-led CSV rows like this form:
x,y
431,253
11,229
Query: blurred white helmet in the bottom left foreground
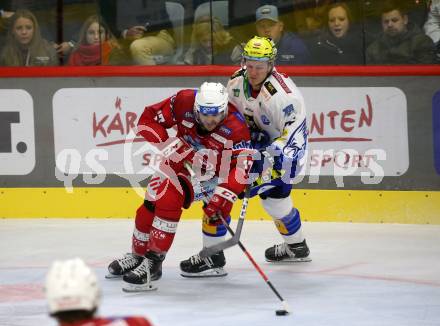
x,y
71,285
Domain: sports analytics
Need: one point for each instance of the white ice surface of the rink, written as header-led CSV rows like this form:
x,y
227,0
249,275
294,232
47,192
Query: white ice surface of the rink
x,y
361,274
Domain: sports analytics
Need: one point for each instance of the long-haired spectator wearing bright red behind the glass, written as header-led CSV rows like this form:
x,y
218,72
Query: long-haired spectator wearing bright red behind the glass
x,y
96,46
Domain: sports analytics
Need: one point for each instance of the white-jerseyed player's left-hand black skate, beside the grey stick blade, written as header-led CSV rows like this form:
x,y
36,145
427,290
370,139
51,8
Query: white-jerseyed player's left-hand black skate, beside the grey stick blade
x,y
208,267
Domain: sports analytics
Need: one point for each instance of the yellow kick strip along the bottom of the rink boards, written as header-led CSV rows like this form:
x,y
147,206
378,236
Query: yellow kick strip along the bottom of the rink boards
x,y
417,207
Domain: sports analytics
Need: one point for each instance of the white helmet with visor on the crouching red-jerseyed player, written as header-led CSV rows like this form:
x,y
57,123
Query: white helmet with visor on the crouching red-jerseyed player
x,y
211,100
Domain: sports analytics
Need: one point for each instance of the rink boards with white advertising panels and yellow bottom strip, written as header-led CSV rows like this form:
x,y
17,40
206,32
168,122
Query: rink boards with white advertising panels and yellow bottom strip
x,y
374,147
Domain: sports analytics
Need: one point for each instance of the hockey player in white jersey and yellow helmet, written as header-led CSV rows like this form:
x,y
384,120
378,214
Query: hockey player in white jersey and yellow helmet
x,y
275,112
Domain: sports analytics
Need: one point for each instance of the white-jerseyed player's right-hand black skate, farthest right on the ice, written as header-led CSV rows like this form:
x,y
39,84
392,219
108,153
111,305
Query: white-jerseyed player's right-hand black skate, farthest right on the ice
x,y
297,252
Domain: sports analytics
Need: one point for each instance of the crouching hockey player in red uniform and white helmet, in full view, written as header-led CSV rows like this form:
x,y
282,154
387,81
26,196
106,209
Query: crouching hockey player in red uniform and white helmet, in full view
x,y
213,137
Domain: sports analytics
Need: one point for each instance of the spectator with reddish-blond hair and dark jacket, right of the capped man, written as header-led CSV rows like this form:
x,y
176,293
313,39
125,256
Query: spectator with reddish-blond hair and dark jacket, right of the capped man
x,y
340,42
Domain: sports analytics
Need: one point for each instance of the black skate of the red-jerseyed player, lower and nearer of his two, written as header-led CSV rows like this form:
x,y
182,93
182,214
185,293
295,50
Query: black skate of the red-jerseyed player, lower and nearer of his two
x,y
140,278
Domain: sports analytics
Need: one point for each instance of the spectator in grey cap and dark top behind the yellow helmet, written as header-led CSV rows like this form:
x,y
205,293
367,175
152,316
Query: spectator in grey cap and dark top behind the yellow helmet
x,y
291,49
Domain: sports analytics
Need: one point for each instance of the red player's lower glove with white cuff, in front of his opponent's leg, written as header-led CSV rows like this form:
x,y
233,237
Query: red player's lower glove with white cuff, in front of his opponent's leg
x,y
221,203
